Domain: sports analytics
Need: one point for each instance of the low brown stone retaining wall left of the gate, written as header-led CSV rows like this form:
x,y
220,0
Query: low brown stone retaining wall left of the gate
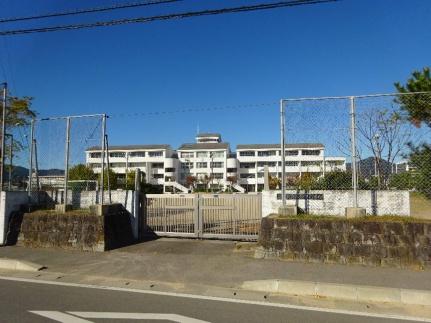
x,y
76,230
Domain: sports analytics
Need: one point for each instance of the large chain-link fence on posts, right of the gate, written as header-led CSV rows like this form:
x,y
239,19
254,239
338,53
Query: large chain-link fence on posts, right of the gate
x,y
361,145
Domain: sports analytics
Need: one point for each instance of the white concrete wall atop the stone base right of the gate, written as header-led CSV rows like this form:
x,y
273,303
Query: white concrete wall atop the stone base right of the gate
x,y
335,202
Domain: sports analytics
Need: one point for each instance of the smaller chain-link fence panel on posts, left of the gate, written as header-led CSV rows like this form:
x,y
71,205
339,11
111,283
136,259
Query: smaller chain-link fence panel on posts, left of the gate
x,y
66,160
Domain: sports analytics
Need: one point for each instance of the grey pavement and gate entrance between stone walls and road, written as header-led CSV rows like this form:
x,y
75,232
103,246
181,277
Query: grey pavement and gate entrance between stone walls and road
x,y
214,263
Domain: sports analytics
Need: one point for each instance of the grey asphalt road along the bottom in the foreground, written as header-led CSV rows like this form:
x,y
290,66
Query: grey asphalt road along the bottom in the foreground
x,y
20,299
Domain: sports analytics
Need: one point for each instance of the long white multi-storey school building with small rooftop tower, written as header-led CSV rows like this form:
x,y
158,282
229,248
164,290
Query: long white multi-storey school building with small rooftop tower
x,y
209,162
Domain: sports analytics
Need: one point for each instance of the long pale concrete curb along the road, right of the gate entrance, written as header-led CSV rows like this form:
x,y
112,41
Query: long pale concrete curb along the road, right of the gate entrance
x,y
350,292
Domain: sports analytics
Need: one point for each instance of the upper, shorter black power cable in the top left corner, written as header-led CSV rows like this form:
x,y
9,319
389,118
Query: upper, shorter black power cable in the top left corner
x,y
88,10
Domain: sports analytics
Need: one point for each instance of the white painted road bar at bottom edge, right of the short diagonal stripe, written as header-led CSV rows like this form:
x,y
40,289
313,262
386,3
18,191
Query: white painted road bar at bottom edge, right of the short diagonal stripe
x,y
138,316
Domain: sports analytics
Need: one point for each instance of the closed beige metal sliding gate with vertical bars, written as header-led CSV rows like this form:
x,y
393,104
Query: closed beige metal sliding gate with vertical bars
x,y
218,216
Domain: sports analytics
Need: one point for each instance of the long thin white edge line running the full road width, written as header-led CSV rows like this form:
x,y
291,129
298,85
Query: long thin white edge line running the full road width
x,y
223,299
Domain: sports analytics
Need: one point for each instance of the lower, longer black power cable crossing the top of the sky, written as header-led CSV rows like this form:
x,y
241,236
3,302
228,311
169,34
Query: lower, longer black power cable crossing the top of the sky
x,y
172,16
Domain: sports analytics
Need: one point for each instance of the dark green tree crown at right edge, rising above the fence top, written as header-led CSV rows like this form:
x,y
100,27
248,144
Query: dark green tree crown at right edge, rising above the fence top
x,y
417,107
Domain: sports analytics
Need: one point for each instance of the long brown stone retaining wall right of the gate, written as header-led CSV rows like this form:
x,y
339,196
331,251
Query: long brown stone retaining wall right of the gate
x,y
376,243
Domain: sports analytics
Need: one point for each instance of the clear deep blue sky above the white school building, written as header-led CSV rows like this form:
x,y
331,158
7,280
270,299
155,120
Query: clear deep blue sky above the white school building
x,y
343,48
